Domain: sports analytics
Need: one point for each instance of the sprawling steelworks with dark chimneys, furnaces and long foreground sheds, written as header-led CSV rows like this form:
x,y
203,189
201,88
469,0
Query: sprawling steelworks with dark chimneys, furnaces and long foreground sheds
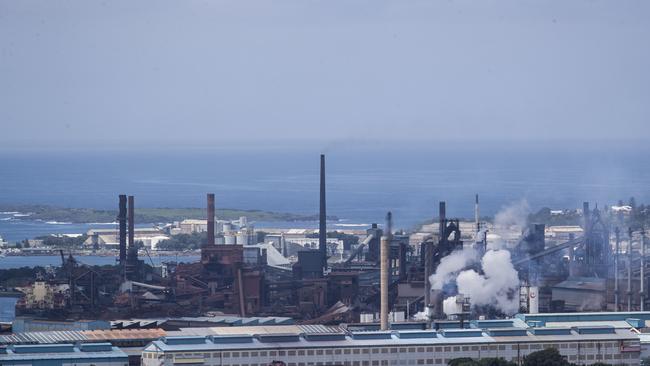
x,y
454,288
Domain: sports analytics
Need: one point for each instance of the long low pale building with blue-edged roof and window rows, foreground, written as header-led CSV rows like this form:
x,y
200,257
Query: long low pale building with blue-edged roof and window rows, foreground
x,y
581,345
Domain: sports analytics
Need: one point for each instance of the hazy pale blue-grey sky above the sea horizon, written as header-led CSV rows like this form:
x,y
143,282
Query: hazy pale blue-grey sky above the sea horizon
x,y
230,71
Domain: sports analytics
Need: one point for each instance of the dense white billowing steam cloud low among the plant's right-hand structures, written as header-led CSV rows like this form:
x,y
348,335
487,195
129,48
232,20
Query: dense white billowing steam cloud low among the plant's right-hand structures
x,y
497,286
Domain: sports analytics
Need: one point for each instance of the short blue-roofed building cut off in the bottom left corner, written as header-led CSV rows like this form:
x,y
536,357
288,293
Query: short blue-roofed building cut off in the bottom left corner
x,y
87,354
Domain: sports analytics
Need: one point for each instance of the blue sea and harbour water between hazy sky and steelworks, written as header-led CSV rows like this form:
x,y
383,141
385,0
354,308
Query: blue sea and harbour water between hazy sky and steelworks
x,y
363,183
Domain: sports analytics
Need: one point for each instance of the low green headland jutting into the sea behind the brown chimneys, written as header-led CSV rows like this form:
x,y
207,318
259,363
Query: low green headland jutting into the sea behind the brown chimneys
x,y
147,215
